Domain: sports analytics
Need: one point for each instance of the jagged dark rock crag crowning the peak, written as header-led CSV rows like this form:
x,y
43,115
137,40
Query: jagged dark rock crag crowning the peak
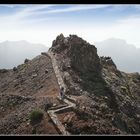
x,y
82,56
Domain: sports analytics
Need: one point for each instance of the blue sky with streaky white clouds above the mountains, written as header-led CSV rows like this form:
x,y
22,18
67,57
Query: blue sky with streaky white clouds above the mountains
x,y
42,23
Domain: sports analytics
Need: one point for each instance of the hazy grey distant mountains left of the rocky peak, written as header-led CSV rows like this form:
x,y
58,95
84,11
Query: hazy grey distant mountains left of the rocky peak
x,y
13,53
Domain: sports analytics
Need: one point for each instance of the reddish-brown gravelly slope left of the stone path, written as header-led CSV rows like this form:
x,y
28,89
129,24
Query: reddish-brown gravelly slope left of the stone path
x,y
31,86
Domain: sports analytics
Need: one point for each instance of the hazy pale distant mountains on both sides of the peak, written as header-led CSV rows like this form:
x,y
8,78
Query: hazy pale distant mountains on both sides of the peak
x,y
126,56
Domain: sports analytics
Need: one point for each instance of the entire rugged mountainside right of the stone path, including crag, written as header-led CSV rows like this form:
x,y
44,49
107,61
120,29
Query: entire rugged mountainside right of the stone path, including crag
x,y
102,107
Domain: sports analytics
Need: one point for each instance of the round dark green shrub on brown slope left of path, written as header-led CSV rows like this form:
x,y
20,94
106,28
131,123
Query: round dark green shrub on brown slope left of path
x,y
36,115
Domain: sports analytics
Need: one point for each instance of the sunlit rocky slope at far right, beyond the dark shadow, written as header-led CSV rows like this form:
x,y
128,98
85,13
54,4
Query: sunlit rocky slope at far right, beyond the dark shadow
x,y
125,88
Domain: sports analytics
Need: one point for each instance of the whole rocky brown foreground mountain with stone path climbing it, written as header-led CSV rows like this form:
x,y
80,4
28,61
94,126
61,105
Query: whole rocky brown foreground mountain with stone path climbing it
x,y
99,99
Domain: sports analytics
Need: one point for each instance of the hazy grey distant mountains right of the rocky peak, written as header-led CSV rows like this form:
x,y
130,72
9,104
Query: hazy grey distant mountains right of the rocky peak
x,y
126,56
